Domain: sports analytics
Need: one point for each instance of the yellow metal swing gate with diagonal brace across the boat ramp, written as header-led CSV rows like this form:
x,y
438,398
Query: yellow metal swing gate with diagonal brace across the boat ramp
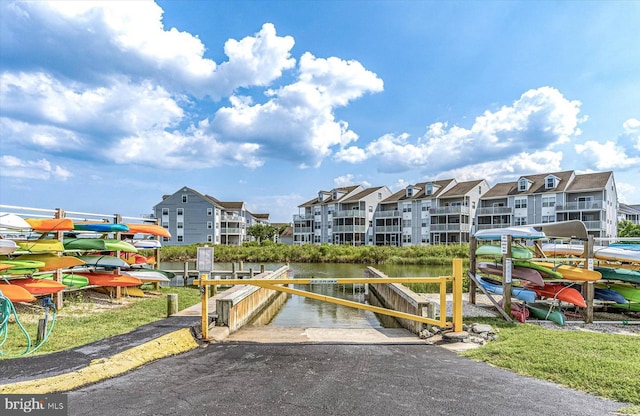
x,y
279,284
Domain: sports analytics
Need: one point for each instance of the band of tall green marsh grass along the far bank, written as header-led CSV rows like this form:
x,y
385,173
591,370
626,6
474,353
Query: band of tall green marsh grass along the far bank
x,y
269,252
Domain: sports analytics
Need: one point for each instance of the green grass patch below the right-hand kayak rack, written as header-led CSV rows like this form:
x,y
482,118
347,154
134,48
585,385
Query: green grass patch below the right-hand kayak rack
x,y
605,365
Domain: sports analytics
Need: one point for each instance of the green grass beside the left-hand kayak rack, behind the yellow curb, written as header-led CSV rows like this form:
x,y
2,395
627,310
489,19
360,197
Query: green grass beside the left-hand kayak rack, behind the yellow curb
x,y
87,317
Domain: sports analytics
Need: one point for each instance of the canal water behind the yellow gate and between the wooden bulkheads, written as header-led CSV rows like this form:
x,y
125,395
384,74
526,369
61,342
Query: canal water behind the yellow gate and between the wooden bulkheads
x,y
300,311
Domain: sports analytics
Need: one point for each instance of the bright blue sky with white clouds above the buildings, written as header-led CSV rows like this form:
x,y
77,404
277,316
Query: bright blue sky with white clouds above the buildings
x,y
106,106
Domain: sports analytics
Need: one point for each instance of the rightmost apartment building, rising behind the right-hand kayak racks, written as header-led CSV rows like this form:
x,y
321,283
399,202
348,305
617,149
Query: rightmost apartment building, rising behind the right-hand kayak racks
x,y
550,197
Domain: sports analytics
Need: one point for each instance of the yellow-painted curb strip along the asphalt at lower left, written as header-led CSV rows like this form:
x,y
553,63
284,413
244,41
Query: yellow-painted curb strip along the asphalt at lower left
x,y
167,345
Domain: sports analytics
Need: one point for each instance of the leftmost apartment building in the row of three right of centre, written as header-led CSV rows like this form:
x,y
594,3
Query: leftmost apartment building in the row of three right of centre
x,y
340,216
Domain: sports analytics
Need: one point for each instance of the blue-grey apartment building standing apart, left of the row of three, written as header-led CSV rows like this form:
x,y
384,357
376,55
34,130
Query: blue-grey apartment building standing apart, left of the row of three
x,y
192,218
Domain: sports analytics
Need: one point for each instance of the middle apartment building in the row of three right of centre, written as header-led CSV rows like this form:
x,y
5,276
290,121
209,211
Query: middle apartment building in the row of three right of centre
x,y
429,212
